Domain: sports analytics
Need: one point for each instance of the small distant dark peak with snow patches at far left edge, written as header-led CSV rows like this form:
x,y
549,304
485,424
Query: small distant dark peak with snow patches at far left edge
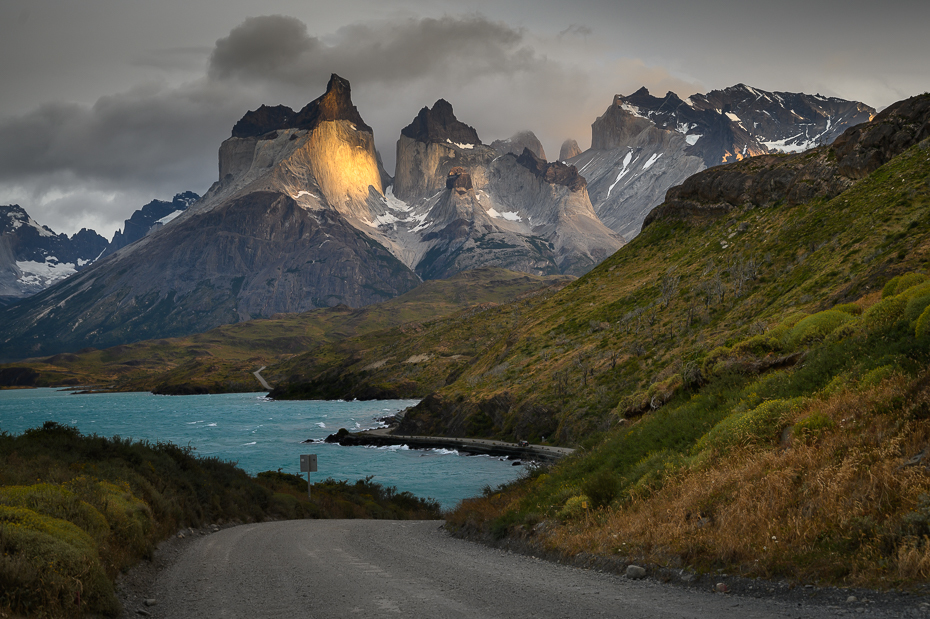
x,y
32,257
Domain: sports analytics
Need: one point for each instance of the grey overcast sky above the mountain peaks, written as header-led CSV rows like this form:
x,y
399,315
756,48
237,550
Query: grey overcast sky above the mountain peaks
x,y
107,104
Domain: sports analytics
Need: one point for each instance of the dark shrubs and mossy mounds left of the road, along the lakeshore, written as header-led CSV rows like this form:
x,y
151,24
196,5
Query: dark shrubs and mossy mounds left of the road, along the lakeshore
x,y
77,510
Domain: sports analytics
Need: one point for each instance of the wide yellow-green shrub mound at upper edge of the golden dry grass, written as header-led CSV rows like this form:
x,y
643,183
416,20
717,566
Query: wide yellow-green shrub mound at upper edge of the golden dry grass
x,y
763,424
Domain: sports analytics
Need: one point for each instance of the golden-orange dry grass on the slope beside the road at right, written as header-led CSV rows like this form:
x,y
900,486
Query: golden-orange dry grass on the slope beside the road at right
x,y
844,506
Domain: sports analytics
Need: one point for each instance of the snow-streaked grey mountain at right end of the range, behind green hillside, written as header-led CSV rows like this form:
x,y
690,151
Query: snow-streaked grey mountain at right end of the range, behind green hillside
x,y
643,145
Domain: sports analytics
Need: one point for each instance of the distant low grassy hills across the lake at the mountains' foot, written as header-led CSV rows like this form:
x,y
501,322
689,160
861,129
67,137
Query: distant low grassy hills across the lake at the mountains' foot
x,y
223,359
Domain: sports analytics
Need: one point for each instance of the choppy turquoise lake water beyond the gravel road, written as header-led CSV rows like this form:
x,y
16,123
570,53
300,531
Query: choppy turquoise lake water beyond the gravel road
x,y
261,435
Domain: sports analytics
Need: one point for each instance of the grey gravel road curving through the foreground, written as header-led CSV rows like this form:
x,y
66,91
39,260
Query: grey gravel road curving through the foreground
x,y
376,568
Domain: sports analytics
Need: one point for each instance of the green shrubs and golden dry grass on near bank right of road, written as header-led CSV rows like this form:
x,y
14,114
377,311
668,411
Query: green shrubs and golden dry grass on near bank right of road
x,y
818,472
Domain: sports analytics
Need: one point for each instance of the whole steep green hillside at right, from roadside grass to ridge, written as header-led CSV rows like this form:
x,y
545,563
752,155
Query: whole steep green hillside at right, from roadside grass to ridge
x,y
749,381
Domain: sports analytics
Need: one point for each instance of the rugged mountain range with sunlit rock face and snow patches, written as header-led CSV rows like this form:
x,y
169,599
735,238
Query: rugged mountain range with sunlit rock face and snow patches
x,y
305,216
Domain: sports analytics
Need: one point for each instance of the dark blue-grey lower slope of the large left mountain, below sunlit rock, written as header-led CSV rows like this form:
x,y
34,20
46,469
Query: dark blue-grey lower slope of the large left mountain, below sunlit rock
x,y
254,256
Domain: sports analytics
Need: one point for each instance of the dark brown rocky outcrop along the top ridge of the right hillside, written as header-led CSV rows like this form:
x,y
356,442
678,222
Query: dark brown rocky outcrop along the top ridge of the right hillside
x,y
824,172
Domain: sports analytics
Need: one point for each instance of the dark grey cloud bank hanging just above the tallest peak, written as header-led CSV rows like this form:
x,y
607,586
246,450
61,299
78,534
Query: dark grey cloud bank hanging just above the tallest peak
x,y
279,48
